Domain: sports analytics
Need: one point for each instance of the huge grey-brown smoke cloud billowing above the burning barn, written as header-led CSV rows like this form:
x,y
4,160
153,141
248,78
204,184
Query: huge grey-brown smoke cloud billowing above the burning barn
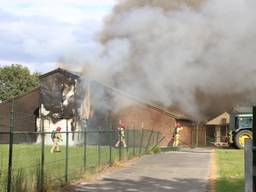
x,y
197,56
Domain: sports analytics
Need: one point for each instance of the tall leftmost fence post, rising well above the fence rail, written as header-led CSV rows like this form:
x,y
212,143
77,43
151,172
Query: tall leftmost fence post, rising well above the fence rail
x,y
11,126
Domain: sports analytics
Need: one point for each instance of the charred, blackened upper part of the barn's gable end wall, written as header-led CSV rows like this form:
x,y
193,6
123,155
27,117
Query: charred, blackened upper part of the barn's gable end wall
x,y
58,94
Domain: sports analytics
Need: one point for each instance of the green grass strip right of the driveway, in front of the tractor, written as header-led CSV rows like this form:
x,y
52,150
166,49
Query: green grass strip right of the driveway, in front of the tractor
x,y
230,170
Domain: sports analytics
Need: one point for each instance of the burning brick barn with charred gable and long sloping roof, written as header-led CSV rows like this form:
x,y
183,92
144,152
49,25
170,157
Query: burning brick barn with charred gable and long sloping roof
x,y
65,99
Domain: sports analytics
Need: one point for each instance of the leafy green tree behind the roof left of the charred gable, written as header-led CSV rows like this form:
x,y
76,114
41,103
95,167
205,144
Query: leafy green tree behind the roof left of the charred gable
x,y
15,80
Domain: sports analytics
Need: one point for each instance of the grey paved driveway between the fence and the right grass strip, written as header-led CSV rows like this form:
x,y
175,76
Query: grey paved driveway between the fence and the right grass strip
x,y
185,171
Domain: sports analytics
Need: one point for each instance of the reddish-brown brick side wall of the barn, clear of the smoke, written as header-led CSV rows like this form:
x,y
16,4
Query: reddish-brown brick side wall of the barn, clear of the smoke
x,y
157,120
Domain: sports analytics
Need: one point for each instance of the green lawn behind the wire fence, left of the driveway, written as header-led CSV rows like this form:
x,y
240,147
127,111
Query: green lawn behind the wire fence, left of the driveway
x,y
26,163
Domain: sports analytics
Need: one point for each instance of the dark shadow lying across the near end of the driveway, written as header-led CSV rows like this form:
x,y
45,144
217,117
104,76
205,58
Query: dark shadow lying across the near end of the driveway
x,y
145,184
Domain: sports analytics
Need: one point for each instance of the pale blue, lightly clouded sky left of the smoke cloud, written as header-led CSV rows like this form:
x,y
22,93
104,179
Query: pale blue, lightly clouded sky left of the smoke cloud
x,y
36,33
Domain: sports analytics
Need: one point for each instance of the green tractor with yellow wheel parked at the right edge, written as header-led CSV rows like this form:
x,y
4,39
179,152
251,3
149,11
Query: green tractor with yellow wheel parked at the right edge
x,y
240,128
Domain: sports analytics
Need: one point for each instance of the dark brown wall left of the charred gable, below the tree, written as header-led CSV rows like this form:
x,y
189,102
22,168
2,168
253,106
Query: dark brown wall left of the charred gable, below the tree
x,y
26,108
